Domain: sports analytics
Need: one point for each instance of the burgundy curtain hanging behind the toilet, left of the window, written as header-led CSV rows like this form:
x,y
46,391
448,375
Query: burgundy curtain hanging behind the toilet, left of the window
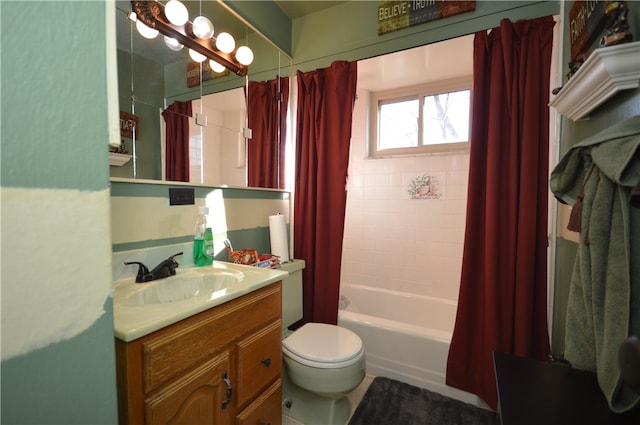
x,y
325,105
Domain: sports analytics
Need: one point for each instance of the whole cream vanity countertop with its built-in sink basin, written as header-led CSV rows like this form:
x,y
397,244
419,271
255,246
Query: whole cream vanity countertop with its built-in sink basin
x,y
142,308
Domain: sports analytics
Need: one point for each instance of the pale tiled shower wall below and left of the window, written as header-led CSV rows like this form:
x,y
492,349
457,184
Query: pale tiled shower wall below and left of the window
x,y
392,241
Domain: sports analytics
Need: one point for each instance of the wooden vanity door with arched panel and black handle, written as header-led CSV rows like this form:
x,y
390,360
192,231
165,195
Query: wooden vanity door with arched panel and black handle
x,y
199,397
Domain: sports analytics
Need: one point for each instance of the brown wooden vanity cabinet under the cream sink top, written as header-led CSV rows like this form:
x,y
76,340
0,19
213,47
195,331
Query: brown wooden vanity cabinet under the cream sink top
x,y
220,366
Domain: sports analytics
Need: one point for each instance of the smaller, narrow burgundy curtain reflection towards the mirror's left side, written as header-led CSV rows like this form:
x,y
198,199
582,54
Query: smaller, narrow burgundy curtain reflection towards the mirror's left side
x,y
176,118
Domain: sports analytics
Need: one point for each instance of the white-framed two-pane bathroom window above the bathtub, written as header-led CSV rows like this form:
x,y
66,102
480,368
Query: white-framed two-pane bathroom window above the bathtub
x,y
421,119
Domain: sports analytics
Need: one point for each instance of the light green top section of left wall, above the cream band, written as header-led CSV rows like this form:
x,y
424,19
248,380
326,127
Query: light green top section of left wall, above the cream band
x,y
51,119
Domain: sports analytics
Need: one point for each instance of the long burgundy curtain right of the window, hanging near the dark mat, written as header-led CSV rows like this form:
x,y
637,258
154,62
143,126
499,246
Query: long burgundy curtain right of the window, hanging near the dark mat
x,y
503,296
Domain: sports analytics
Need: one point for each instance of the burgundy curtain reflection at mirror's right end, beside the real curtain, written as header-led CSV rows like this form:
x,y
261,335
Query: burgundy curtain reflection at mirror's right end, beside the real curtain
x,y
268,102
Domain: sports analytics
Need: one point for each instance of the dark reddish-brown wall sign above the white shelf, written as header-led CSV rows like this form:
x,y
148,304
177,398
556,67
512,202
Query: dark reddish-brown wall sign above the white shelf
x,y
586,21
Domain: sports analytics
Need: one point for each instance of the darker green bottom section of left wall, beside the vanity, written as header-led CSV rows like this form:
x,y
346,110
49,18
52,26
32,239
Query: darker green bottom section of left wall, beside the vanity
x,y
71,382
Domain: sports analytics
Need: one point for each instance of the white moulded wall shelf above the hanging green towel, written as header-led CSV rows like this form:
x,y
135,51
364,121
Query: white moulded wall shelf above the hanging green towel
x,y
607,71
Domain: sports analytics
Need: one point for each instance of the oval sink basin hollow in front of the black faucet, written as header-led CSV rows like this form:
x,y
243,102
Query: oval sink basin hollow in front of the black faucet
x,y
205,283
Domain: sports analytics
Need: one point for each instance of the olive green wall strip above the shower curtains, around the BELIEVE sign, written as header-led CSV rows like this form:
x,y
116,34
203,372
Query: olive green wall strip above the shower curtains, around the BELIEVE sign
x,y
322,37
